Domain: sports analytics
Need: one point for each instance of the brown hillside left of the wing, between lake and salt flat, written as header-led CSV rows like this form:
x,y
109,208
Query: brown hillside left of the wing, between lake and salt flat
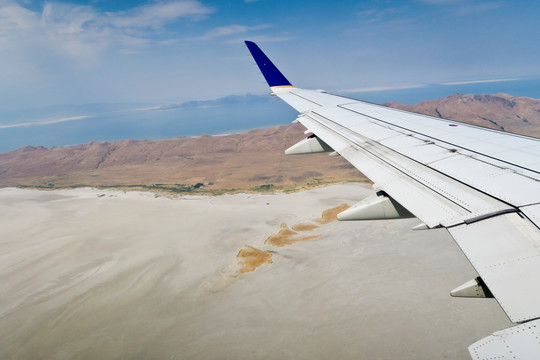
x,y
253,159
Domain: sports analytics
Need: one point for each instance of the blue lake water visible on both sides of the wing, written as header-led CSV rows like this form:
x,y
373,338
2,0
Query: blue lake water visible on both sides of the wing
x,y
70,125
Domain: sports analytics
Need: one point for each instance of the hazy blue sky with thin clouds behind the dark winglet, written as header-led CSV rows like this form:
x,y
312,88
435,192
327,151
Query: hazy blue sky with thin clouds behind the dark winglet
x,y
99,51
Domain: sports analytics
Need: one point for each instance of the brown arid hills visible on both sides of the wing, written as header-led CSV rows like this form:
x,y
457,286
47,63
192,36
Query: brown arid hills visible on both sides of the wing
x,y
249,161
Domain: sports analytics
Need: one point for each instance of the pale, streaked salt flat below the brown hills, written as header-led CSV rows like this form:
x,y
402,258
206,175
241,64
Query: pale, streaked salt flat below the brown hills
x,y
109,274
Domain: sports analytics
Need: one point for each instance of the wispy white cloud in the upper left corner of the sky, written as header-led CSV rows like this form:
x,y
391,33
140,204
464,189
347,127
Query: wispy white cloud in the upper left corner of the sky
x,y
83,32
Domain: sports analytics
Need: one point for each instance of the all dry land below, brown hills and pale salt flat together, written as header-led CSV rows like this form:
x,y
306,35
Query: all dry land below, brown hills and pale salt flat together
x,y
105,273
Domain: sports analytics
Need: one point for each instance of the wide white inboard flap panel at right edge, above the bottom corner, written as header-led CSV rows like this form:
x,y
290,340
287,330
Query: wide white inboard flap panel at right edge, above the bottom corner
x,y
505,253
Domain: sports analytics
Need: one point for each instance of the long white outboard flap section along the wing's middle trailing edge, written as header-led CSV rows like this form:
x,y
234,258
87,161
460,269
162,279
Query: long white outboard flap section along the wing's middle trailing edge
x,y
431,196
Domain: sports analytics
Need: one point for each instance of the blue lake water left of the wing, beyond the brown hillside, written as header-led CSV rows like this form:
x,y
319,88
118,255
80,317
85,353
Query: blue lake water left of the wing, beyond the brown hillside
x,y
150,124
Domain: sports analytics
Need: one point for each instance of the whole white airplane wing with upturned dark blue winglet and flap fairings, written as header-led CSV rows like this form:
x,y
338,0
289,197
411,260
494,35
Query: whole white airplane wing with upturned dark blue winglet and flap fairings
x,y
482,185
